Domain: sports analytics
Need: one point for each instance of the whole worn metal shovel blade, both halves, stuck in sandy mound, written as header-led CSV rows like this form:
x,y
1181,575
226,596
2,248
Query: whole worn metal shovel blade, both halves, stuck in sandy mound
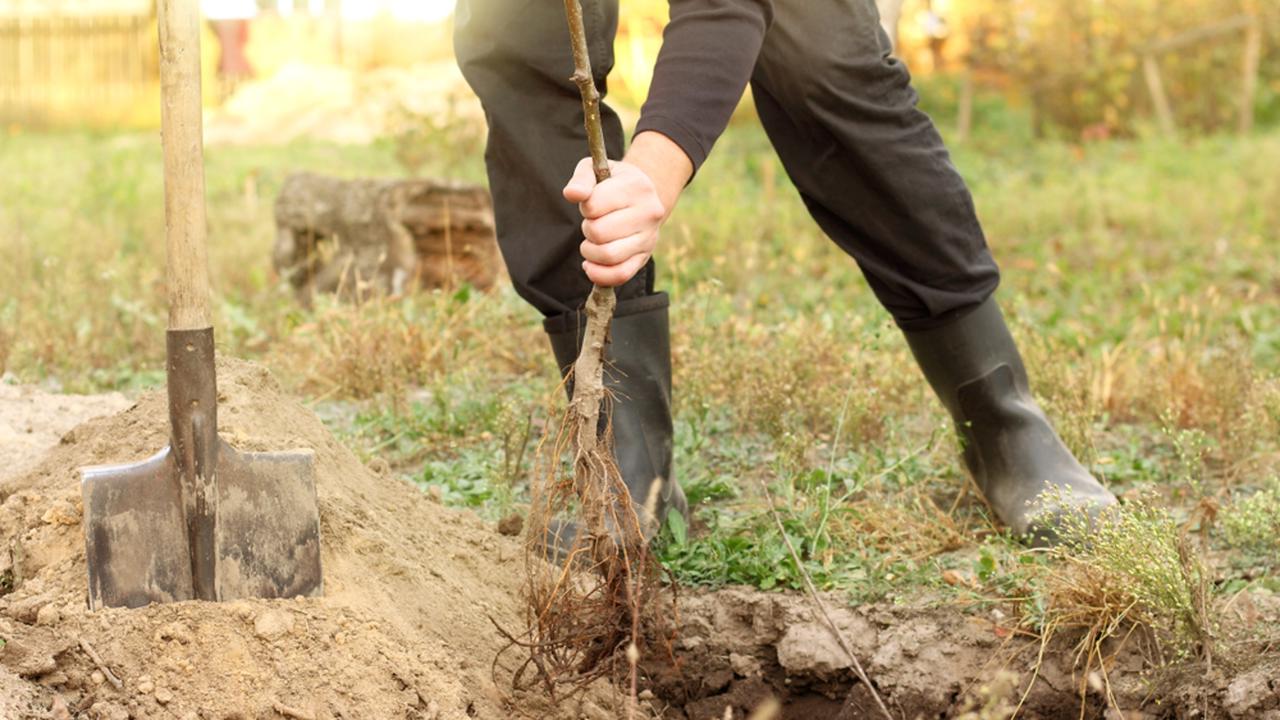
x,y
267,535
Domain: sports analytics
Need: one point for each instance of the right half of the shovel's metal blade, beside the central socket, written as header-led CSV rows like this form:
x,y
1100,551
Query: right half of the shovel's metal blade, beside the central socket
x,y
268,525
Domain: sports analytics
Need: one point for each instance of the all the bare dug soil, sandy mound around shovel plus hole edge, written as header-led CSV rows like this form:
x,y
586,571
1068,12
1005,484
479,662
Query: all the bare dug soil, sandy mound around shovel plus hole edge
x,y
413,593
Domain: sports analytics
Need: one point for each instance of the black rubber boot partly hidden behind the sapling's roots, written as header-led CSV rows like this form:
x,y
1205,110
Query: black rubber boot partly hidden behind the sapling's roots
x,y
638,373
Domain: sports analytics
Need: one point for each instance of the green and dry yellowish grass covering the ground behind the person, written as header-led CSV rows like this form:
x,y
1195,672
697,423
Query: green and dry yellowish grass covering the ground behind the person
x,y
1141,277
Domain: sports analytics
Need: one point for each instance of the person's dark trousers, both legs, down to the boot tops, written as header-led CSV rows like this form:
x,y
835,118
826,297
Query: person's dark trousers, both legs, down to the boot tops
x,y
840,113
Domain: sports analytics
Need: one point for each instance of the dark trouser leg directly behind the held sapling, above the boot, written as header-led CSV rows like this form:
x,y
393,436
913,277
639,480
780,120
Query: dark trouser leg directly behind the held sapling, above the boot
x,y
515,54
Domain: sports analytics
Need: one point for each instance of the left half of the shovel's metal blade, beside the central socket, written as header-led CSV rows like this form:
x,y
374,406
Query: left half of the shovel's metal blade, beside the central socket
x,y
135,539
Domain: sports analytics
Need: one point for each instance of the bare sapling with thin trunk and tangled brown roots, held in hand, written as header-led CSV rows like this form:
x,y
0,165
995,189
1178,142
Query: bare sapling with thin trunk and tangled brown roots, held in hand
x,y
588,608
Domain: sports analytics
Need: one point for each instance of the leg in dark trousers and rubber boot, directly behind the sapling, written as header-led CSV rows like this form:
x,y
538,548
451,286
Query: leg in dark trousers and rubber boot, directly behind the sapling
x,y
516,57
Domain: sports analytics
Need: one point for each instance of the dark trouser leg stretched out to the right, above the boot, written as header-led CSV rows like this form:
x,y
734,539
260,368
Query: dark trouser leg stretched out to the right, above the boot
x,y
870,166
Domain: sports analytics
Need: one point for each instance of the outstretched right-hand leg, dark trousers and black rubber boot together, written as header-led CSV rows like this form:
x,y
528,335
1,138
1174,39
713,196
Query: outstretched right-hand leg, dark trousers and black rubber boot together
x,y
875,175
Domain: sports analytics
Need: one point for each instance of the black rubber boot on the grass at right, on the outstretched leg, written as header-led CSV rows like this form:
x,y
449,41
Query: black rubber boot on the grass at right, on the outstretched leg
x,y
1021,466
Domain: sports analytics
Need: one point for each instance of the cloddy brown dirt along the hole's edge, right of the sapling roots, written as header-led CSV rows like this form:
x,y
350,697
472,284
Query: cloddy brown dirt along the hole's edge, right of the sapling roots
x,y
738,648
